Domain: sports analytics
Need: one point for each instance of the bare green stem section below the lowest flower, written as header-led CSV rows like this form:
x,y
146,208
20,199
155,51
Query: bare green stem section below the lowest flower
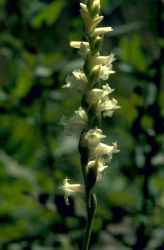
x,y
91,211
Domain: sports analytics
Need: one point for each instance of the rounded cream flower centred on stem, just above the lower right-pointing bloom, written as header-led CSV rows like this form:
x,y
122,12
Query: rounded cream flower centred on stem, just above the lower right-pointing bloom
x,y
92,138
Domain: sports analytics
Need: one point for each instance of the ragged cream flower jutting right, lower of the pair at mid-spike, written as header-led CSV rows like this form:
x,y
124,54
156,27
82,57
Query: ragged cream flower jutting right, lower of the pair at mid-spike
x,y
107,106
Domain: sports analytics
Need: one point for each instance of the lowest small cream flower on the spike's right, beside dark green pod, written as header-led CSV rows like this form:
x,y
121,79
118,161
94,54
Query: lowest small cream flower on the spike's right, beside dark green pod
x,y
100,167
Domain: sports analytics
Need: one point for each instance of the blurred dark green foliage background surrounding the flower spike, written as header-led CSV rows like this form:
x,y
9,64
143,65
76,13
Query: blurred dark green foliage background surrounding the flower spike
x,y
36,155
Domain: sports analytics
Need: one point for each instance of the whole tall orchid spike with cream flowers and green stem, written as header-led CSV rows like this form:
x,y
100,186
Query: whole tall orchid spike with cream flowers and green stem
x,y
95,104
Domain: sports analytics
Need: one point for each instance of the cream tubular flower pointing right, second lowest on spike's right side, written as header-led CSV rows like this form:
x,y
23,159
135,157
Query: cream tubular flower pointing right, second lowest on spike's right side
x,y
104,149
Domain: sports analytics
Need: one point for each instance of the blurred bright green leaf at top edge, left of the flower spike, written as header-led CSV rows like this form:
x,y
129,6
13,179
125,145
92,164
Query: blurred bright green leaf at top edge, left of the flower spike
x,y
49,14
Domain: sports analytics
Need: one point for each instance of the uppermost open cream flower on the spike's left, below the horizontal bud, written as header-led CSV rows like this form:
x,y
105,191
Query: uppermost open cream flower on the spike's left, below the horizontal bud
x,y
76,81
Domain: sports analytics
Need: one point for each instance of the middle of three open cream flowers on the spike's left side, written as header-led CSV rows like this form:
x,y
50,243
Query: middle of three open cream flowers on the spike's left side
x,y
78,120
